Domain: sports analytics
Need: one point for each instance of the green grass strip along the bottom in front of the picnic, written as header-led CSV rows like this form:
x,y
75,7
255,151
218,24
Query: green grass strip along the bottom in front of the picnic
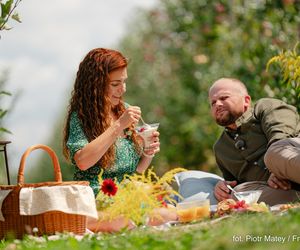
x,y
242,231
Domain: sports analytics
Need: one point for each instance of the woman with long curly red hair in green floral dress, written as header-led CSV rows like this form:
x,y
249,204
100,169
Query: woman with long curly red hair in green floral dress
x,y
99,131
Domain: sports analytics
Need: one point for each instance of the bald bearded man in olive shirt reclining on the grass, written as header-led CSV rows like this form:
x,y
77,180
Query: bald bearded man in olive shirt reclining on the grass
x,y
248,133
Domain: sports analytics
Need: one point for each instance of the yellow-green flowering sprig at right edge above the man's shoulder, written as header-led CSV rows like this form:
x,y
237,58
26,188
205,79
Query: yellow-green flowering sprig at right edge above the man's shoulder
x,y
289,63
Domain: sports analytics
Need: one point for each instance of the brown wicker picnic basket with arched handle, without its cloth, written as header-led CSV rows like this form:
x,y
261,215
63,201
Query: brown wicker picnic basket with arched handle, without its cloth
x,y
47,223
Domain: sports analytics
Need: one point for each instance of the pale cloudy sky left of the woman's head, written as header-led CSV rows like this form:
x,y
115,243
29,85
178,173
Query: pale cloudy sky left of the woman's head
x,y
43,53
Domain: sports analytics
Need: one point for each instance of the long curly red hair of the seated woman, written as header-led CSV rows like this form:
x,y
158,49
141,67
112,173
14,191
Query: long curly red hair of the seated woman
x,y
90,101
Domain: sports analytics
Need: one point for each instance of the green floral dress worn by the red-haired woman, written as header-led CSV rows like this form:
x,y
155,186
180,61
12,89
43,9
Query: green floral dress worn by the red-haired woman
x,y
126,160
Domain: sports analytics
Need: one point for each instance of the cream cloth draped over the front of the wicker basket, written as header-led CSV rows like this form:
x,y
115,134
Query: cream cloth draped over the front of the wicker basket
x,y
71,199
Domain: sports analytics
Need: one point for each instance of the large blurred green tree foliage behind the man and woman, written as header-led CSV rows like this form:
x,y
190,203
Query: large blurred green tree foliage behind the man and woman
x,y
179,48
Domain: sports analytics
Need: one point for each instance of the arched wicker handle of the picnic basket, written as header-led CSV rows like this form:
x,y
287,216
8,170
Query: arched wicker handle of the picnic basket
x,y
51,153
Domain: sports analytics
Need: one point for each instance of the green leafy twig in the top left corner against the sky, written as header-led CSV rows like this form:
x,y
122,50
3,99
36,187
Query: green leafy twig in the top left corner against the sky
x,y
7,12
